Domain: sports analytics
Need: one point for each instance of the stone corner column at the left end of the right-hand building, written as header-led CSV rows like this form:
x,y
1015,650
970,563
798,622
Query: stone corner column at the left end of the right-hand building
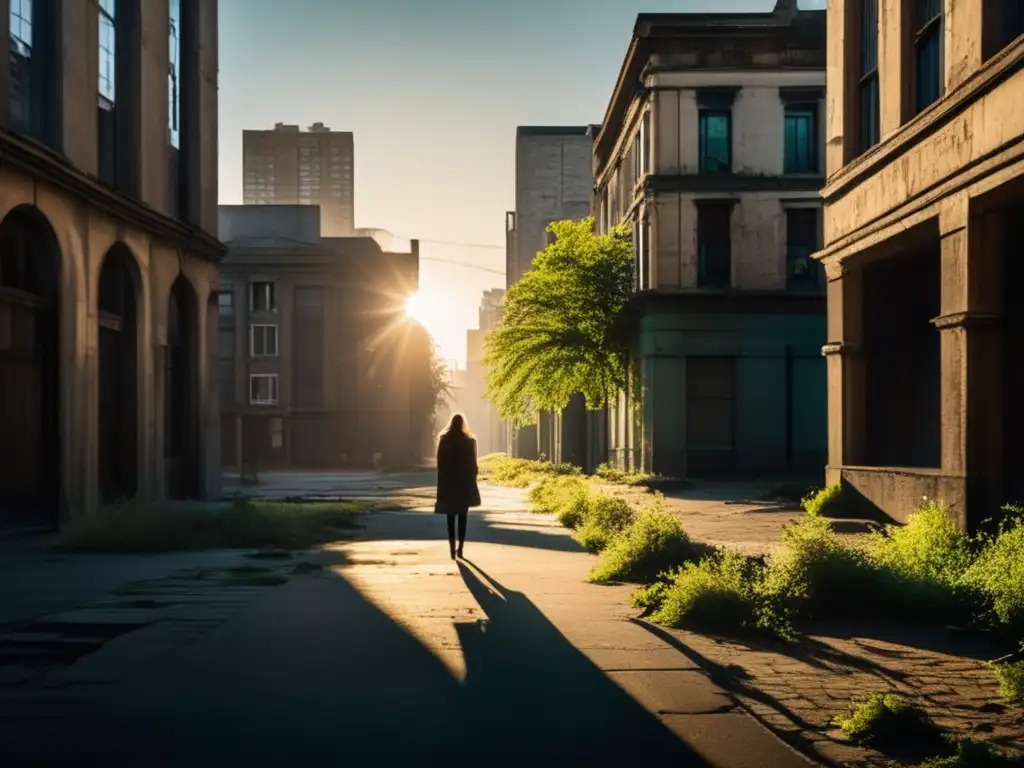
x,y
846,369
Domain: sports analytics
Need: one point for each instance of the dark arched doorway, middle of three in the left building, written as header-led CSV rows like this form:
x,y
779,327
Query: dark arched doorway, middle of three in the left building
x,y
118,378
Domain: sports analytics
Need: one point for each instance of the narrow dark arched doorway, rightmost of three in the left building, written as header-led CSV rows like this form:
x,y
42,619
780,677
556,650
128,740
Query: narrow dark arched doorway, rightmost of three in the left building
x,y
181,391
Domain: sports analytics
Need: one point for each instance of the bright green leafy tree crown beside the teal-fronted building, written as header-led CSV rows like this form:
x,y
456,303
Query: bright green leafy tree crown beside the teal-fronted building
x,y
562,326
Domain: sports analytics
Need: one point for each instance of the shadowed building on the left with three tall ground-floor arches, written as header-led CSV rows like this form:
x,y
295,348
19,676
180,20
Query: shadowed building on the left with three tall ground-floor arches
x,y
108,255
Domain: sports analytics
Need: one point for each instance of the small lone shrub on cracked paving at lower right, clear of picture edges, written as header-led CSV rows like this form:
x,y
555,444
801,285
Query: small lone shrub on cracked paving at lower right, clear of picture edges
x,y
886,720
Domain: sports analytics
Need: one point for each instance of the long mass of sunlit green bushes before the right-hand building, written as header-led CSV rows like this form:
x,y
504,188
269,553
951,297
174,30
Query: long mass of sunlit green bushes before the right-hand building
x,y
927,571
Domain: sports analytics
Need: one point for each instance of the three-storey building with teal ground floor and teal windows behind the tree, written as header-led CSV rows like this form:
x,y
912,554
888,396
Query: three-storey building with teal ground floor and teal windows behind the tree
x,y
712,149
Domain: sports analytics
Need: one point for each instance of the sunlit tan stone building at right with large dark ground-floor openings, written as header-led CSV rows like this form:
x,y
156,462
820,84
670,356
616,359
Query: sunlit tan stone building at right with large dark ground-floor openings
x,y
924,233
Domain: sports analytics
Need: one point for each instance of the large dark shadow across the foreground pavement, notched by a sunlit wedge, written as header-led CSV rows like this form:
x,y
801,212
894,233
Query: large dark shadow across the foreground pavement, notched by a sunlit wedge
x,y
315,672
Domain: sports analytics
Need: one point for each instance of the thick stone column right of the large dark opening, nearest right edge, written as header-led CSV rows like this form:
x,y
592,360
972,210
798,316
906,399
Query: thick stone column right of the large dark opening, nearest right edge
x,y
971,345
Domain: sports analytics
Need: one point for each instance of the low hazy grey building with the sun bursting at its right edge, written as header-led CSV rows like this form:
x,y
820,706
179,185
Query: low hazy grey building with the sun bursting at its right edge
x,y
319,366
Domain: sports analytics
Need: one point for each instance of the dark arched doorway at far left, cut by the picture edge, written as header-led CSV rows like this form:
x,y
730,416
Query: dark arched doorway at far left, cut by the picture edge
x,y
30,354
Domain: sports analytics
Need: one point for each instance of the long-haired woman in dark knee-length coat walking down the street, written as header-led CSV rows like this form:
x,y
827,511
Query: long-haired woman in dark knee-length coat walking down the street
x,y
457,471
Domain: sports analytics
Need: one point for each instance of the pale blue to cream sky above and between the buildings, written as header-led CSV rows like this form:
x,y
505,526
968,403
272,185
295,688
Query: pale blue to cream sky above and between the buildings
x,y
434,92
